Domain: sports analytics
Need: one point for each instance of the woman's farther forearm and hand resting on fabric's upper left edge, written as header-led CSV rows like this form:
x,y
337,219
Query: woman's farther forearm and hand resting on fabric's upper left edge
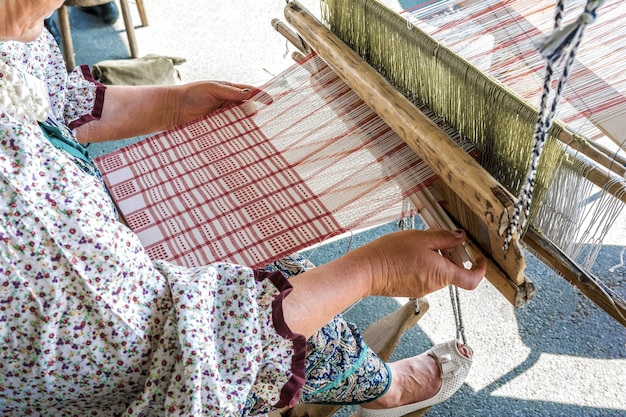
x,y
131,111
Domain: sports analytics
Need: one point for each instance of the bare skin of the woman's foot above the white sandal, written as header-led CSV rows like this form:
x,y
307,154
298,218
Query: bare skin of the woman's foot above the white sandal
x,y
413,379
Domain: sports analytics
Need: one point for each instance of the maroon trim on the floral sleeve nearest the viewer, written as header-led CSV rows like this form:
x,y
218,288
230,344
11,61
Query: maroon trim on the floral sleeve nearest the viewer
x,y
290,393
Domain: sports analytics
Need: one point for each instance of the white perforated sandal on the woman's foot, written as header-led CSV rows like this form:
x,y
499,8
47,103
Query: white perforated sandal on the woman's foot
x,y
454,367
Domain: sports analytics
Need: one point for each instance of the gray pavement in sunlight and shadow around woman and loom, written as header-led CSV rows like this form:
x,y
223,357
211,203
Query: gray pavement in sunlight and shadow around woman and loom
x,y
558,356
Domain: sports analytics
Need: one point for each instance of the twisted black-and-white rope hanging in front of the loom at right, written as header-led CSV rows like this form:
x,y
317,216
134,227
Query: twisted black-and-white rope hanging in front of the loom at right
x,y
562,44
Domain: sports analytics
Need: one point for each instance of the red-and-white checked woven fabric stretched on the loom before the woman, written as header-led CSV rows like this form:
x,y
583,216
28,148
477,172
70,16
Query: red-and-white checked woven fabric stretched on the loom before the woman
x,y
303,160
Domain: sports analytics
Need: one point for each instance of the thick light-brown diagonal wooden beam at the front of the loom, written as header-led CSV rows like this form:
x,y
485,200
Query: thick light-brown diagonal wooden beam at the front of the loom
x,y
483,195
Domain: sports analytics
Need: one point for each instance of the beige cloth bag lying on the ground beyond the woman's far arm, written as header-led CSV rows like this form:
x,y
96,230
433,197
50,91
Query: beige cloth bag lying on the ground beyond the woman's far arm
x,y
148,70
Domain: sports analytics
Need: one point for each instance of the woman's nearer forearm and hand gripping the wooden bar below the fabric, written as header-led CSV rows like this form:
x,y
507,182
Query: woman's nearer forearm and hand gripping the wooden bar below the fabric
x,y
401,264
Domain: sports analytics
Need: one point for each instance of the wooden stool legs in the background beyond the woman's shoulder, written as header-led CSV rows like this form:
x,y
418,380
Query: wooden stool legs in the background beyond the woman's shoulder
x,y
66,35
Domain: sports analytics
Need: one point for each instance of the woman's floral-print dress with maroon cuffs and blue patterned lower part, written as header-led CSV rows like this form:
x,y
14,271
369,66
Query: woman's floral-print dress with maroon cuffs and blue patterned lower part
x,y
90,326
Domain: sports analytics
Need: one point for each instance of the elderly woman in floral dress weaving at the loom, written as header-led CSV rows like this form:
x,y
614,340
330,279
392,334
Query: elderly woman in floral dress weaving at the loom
x,y
90,326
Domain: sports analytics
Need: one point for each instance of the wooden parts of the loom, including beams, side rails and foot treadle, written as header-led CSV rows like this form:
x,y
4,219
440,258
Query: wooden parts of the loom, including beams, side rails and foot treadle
x,y
464,183
